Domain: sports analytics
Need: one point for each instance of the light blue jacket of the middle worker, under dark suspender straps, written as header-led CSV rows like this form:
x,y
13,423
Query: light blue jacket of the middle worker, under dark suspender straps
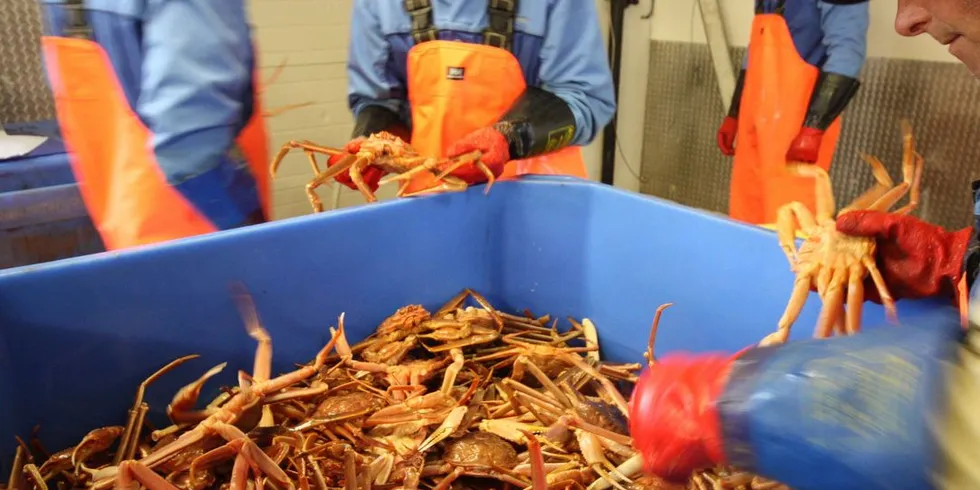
x,y
557,42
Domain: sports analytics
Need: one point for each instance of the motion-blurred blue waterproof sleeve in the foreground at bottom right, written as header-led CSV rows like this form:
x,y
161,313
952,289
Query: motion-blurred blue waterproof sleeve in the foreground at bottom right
x,y
844,413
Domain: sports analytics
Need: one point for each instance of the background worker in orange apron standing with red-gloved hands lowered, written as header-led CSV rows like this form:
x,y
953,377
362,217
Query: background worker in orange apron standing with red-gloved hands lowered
x,y
799,73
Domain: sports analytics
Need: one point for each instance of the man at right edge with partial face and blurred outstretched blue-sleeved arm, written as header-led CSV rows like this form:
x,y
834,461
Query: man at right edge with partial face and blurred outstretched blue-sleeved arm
x,y
888,408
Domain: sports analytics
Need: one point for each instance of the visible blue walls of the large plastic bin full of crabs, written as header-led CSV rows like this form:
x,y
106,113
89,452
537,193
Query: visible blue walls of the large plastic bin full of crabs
x,y
77,336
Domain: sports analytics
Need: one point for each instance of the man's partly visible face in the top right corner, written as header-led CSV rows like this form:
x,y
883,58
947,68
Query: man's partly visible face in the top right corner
x,y
954,23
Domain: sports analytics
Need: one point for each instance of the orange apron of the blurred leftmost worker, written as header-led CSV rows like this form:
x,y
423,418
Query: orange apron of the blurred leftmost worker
x,y
125,192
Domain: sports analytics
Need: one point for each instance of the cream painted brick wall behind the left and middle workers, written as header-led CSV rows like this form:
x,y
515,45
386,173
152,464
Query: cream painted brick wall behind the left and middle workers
x,y
313,35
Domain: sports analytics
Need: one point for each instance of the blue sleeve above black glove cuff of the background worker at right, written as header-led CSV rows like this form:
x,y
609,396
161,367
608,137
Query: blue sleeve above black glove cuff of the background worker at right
x,y
845,34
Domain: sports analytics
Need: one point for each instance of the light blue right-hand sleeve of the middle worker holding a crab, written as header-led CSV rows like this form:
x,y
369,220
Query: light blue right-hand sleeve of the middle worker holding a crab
x,y
574,66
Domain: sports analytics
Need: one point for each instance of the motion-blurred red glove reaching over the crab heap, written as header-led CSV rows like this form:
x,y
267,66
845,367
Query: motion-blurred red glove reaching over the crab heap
x,y
673,416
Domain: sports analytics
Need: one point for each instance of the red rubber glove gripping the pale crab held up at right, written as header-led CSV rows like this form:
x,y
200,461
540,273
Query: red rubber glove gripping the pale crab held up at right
x,y
916,259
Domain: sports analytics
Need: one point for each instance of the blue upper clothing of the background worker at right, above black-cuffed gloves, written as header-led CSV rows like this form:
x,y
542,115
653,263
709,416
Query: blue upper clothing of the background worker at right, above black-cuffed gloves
x,y
811,21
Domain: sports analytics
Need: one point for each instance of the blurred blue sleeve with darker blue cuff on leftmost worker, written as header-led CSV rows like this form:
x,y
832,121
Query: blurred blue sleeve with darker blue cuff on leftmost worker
x,y
195,96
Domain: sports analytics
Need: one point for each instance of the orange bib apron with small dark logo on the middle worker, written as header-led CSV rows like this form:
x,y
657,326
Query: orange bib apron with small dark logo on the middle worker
x,y
455,88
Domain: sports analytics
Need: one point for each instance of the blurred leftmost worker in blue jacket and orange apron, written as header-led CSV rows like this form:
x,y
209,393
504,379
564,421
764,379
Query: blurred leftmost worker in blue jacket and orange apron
x,y
157,106
